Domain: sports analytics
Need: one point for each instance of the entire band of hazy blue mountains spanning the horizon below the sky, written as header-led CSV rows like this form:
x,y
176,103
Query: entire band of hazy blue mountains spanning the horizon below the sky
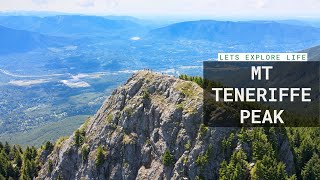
x,y
23,33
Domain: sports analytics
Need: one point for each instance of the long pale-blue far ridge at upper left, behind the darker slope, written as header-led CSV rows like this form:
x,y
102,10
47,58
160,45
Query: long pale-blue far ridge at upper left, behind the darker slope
x,y
68,24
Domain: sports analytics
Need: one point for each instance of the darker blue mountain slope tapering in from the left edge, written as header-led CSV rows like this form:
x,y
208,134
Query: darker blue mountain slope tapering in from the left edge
x,y
13,41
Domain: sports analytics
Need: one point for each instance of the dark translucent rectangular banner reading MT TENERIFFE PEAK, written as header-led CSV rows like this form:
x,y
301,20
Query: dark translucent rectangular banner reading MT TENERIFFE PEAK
x,y
261,94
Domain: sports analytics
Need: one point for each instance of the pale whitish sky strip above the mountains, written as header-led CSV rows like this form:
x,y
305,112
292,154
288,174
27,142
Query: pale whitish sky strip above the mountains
x,y
196,8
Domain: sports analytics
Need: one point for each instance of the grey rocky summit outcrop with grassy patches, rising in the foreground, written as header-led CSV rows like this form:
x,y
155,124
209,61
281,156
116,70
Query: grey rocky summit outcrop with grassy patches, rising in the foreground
x,y
149,128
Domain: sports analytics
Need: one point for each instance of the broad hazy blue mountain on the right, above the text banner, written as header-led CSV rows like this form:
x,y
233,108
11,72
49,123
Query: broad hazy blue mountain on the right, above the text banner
x,y
242,32
